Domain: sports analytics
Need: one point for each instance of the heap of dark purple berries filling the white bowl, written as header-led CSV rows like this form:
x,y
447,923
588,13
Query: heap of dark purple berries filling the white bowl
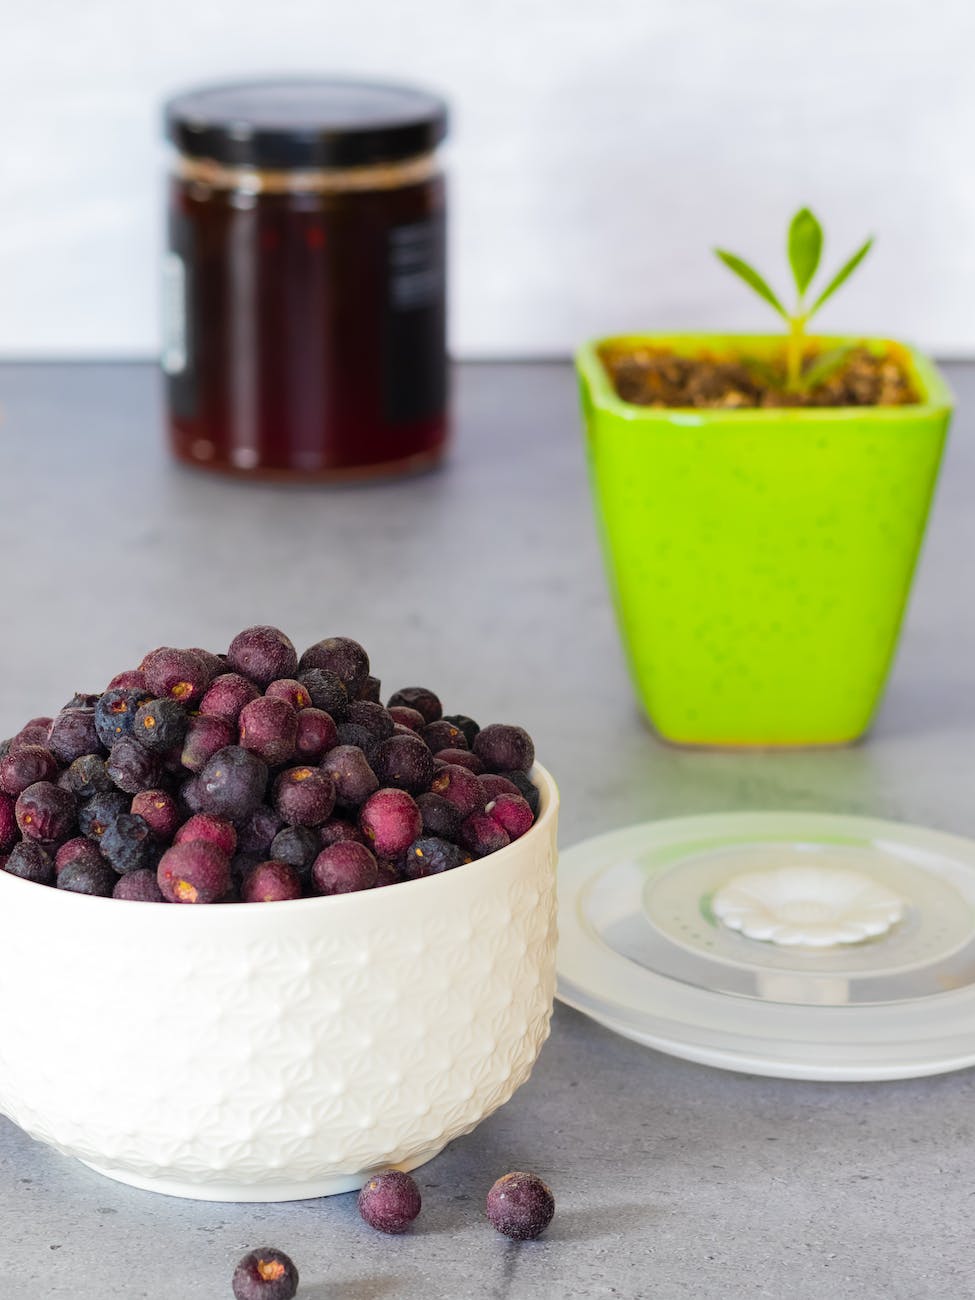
x,y
257,777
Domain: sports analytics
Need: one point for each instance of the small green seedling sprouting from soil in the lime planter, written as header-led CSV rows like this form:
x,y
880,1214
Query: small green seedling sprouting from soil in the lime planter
x,y
805,249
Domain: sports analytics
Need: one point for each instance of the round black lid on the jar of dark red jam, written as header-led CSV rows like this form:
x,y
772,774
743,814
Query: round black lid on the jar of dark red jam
x,y
306,123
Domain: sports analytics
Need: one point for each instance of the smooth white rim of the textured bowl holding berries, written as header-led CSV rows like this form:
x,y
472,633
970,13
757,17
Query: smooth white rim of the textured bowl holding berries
x,y
548,812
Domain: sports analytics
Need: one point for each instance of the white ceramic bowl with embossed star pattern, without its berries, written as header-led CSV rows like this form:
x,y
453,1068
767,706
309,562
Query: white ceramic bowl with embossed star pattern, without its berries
x,y
278,1051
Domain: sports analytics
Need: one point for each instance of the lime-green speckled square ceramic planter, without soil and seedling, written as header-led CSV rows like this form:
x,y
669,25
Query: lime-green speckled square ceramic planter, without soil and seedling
x,y
761,561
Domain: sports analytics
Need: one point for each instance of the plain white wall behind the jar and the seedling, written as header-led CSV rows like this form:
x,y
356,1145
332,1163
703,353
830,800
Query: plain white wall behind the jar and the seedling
x,y
600,149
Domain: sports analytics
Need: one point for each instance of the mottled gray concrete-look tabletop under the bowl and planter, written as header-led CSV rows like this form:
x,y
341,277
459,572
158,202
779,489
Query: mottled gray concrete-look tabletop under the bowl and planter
x,y
484,580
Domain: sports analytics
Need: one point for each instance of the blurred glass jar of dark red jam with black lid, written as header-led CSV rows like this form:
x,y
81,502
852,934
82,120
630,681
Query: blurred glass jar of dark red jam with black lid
x,y
305,288
